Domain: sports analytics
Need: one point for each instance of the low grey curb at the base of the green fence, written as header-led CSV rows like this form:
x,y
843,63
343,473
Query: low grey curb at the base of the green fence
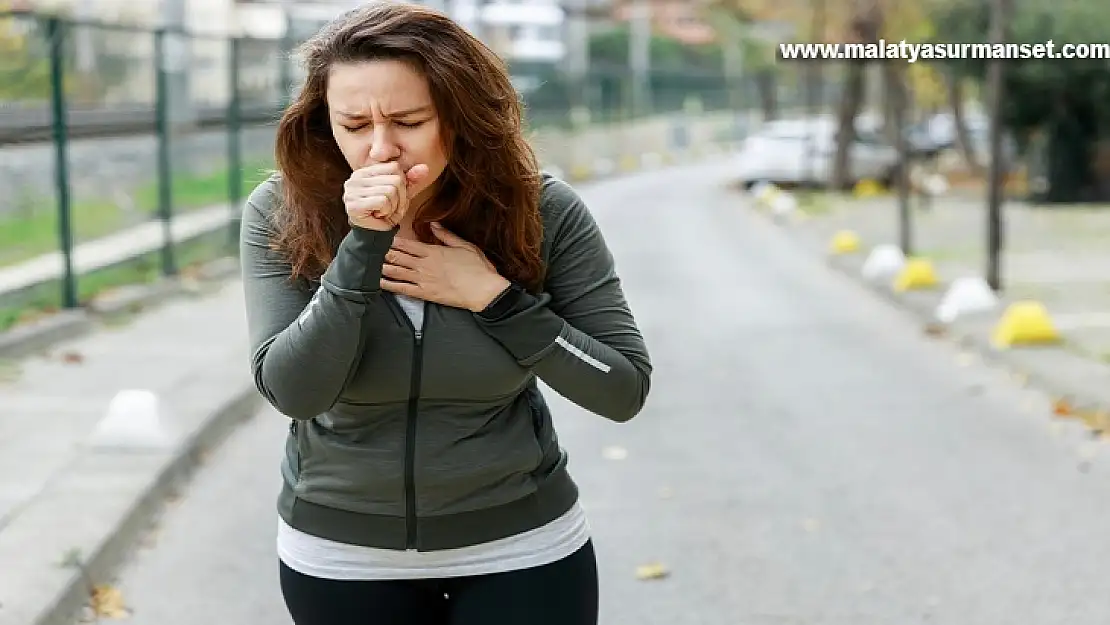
x,y
41,336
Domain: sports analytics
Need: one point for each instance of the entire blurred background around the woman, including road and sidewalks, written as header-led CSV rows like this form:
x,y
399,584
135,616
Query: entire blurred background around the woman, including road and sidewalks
x,y
133,130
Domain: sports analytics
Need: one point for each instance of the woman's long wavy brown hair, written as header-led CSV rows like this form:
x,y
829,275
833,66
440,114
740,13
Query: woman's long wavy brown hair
x,y
490,191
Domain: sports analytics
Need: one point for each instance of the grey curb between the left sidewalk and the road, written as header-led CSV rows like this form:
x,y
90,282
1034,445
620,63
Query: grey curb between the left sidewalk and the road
x,y
175,471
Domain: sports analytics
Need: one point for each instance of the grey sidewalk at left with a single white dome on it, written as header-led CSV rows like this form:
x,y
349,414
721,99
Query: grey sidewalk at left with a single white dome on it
x,y
62,493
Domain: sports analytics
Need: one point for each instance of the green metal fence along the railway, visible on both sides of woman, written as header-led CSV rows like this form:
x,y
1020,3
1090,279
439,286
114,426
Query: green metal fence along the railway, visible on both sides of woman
x,y
126,152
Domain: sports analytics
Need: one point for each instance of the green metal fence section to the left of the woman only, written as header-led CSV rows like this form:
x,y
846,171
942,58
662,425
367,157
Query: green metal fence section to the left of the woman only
x,y
125,153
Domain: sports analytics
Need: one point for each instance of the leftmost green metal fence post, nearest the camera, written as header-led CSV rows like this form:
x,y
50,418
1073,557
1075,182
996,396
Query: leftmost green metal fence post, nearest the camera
x,y
56,34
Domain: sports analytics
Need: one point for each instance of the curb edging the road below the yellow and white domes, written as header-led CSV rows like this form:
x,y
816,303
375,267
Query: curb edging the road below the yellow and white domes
x,y
1058,371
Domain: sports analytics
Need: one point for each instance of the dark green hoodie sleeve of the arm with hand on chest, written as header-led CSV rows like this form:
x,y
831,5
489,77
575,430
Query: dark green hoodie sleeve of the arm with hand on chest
x,y
579,336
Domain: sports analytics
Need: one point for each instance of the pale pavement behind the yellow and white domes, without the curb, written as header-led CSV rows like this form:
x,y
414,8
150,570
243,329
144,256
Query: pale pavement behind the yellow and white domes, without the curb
x,y
1056,256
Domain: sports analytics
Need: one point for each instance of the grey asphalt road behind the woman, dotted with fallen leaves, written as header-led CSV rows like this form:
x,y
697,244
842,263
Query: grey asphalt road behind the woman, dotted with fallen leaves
x,y
809,457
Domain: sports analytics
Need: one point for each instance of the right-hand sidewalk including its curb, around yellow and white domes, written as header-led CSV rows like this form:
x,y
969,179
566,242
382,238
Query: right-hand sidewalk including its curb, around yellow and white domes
x,y
1055,256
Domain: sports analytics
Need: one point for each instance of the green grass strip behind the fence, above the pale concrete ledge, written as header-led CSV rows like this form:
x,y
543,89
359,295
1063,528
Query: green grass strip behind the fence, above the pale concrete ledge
x,y
33,231
